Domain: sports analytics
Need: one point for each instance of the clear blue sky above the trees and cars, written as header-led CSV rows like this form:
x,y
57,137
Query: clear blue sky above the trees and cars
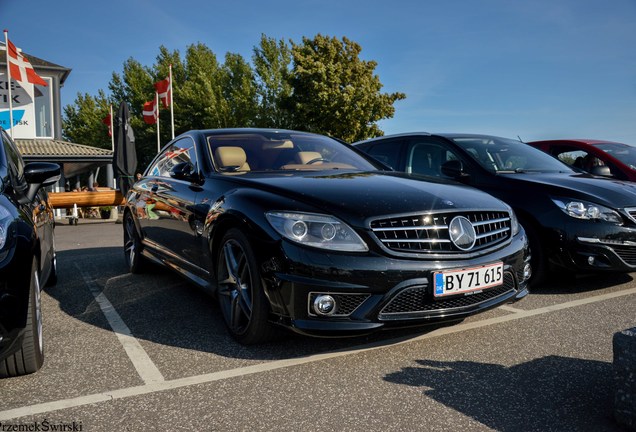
x,y
535,69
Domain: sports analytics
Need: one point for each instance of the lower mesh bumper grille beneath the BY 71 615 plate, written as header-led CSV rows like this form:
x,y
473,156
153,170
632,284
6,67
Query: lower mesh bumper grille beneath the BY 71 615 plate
x,y
419,300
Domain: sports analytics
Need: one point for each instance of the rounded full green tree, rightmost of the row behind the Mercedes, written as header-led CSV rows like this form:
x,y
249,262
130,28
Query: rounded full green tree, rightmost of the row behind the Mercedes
x,y
335,92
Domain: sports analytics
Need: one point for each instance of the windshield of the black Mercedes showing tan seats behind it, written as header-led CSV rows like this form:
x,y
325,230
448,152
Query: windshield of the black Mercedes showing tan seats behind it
x,y
257,151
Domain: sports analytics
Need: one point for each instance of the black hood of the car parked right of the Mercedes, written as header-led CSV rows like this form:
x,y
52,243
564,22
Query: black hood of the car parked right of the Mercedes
x,y
605,191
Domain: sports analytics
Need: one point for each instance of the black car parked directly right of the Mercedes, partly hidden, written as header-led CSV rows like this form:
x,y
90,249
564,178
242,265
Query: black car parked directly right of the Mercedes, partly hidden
x,y
574,221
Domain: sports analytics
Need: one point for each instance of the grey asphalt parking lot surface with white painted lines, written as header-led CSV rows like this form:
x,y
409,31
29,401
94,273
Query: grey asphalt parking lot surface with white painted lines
x,y
150,352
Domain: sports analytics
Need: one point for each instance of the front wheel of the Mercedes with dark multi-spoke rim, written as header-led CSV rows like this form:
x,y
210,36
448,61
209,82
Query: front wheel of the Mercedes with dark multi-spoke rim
x,y
241,298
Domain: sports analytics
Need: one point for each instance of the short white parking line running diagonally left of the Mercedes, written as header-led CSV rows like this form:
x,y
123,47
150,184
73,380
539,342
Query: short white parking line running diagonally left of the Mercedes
x,y
145,367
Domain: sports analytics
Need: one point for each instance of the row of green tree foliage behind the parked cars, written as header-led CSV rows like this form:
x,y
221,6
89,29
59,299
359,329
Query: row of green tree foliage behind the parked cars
x,y
320,85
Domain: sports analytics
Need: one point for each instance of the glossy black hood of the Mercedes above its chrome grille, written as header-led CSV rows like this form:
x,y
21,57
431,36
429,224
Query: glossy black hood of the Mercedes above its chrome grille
x,y
358,196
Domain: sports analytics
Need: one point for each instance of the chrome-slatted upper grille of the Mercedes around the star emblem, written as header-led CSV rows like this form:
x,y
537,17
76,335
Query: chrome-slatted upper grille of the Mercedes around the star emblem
x,y
428,233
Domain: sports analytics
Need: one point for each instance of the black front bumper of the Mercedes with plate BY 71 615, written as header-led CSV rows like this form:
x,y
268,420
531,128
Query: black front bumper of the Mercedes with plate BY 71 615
x,y
375,292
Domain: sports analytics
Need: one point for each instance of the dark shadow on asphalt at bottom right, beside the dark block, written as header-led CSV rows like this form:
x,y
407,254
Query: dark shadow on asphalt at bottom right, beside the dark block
x,y
551,393
